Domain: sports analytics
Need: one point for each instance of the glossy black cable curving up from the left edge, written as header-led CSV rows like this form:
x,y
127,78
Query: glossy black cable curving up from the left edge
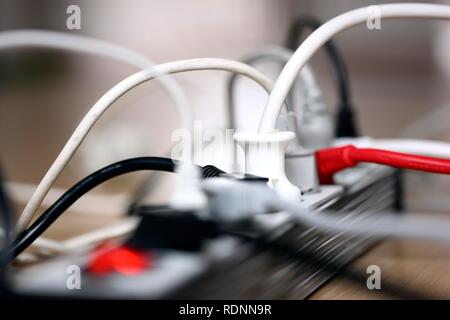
x,y
41,224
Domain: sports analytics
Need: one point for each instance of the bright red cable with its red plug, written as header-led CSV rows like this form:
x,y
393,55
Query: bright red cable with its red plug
x,y
331,160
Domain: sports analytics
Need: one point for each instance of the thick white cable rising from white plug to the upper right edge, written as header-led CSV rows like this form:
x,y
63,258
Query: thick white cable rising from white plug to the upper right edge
x,y
325,32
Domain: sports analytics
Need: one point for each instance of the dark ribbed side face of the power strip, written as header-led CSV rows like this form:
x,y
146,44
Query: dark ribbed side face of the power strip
x,y
264,275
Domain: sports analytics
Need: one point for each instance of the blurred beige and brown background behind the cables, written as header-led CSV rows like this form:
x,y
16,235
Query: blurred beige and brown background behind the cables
x,y
398,74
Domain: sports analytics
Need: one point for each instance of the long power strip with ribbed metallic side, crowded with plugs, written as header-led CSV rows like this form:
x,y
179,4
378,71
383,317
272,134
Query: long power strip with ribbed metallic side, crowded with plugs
x,y
226,268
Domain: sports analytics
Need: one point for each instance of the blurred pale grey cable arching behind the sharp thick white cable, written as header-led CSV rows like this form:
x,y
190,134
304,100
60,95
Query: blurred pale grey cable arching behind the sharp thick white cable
x,y
277,54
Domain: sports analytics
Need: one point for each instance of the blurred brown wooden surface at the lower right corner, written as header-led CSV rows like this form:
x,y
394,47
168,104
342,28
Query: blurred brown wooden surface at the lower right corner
x,y
420,268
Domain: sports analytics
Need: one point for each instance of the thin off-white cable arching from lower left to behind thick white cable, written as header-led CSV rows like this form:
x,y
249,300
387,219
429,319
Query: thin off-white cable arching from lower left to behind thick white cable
x,y
109,98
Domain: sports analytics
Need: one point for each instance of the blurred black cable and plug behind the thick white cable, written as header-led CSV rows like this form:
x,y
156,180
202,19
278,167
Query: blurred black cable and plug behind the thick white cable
x,y
345,118
